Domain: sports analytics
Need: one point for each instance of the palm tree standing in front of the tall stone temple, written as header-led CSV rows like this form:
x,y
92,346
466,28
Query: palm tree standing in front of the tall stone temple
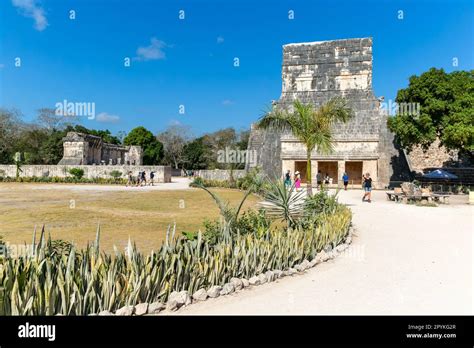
x,y
309,125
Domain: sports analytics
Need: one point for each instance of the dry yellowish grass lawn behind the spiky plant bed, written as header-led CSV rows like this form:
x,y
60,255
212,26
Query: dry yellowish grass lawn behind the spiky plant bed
x,y
144,216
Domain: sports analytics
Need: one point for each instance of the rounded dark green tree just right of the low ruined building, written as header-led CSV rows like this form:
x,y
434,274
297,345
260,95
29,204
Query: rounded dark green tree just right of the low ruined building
x,y
152,149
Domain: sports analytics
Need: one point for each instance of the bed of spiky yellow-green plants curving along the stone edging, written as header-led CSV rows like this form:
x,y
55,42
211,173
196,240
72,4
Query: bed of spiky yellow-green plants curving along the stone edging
x,y
74,281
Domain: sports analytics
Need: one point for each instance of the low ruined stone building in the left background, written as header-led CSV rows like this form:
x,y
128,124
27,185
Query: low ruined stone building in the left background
x,y
84,149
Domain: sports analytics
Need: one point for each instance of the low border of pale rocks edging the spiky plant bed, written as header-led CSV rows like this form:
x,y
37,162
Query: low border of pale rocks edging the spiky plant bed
x,y
181,299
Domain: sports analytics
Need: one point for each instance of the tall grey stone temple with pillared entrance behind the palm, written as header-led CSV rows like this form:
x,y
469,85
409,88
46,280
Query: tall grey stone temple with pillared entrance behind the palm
x,y
314,72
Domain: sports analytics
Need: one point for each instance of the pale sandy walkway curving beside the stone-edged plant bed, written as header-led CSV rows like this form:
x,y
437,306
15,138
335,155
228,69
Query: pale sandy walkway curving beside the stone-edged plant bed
x,y
404,260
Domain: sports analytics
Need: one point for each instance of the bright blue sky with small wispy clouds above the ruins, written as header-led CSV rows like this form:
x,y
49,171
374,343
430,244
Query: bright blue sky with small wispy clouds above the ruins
x,y
190,61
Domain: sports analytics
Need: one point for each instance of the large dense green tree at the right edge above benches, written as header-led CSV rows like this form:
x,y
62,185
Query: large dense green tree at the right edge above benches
x,y
446,111
